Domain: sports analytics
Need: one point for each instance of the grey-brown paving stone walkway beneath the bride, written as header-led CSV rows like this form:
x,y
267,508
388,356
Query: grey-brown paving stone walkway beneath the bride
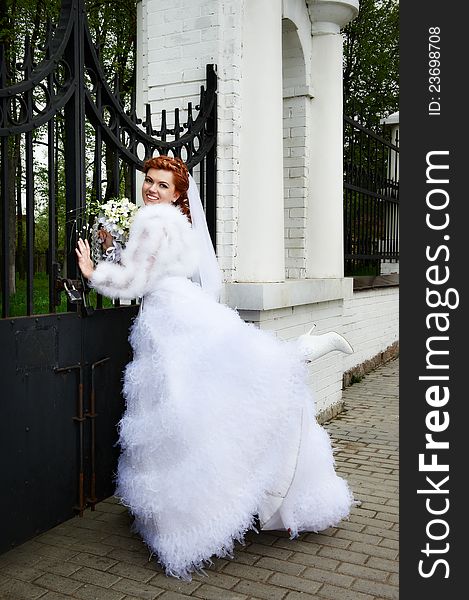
x,y
97,558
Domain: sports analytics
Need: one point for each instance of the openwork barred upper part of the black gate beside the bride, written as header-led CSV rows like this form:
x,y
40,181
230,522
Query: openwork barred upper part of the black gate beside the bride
x,y
63,113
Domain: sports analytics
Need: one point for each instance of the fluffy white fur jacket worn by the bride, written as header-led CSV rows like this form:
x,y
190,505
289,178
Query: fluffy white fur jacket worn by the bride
x,y
161,243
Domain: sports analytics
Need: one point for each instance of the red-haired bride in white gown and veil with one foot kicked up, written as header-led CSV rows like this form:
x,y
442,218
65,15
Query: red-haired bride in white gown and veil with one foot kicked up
x,y
219,425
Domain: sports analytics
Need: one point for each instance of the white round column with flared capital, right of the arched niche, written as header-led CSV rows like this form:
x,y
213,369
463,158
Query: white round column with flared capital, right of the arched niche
x,y
324,235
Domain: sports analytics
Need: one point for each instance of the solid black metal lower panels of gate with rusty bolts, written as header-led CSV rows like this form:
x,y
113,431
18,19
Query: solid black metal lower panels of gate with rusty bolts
x,y
60,405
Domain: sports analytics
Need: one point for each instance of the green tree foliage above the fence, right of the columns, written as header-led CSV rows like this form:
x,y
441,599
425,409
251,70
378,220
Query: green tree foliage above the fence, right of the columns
x,y
371,60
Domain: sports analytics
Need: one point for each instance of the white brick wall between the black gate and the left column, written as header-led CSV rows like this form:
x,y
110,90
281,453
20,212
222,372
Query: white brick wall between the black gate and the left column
x,y
179,38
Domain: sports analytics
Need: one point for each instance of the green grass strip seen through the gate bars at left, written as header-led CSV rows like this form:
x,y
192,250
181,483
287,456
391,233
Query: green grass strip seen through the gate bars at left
x,y
41,297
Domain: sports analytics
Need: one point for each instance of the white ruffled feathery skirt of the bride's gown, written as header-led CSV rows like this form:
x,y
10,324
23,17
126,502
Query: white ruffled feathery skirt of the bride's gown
x,y
219,427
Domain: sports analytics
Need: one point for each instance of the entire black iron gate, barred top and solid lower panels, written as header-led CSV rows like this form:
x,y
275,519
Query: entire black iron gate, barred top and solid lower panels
x,y
61,388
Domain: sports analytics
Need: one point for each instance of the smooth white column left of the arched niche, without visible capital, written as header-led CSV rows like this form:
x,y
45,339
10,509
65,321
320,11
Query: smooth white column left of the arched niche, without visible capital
x,y
260,252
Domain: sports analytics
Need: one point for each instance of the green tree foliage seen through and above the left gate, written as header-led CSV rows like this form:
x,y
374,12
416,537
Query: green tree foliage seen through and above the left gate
x,y
112,27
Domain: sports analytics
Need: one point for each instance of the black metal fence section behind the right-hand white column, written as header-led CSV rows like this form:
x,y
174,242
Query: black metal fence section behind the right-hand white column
x,y
371,198
